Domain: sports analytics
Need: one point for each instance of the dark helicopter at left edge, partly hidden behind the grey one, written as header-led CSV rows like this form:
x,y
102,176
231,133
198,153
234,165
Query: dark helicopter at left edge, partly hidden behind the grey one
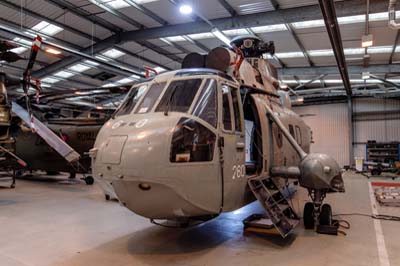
x,y
58,143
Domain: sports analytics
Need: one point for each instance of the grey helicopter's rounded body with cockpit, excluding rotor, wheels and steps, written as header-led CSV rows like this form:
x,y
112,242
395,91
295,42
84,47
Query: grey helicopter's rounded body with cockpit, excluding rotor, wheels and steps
x,y
184,143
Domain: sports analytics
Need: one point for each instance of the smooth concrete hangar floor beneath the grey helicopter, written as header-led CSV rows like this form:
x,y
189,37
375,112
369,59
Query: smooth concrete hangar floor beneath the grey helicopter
x,y
47,223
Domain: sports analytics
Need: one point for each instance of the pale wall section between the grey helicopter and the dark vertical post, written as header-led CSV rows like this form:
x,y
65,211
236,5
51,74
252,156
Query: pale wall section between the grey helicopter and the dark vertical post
x,y
329,124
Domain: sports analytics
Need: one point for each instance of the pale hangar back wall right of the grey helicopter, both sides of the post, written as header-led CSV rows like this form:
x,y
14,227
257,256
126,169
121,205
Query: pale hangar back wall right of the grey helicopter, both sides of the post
x,y
373,119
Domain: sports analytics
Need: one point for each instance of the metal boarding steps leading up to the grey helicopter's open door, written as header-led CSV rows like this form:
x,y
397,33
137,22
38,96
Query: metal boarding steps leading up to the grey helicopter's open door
x,y
276,202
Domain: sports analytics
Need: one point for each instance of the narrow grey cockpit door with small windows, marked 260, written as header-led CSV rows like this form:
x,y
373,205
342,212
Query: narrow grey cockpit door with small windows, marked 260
x,y
232,146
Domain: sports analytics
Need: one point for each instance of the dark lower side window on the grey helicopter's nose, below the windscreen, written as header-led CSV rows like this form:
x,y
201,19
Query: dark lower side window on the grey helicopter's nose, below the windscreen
x,y
192,142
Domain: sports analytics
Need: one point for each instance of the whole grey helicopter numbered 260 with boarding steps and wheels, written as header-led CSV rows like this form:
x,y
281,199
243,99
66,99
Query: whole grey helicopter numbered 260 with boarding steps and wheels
x,y
213,137
